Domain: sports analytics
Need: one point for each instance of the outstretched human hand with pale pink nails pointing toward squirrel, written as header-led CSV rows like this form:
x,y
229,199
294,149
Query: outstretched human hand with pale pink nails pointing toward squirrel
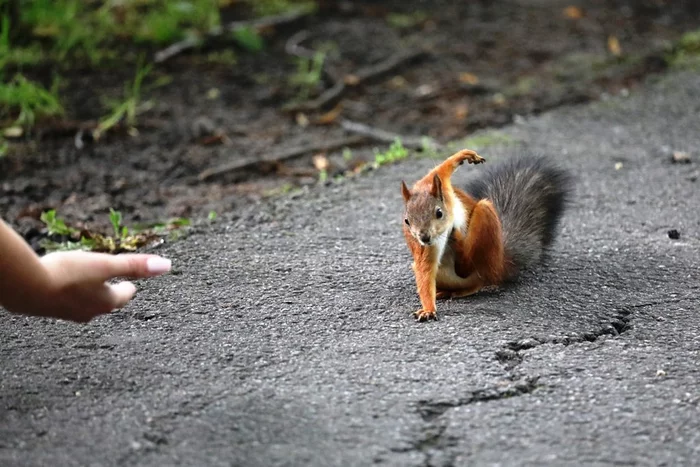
x,y
77,288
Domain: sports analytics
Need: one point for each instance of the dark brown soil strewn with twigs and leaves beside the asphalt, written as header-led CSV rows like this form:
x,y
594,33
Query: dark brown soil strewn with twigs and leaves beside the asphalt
x,y
482,64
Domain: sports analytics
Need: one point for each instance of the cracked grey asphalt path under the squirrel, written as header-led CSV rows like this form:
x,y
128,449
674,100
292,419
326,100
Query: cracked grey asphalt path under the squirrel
x,y
285,336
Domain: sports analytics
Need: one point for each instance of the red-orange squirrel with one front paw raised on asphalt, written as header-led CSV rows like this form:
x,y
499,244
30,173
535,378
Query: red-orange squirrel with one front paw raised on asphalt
x,y
500,224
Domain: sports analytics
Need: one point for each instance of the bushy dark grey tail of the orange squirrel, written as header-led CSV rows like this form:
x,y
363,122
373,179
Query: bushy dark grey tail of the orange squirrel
x,y
530,194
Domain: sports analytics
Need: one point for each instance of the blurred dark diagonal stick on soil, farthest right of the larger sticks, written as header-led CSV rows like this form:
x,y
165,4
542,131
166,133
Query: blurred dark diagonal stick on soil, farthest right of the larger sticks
x,y
331,95
